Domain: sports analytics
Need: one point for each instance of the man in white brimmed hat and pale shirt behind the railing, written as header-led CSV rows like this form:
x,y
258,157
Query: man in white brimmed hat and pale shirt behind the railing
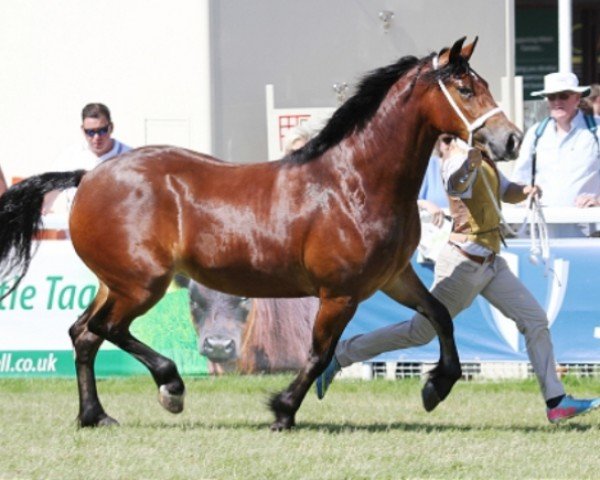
x,y
562,153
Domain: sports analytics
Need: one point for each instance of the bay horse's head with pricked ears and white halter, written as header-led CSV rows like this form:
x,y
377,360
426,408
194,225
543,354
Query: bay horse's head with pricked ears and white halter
x,y
465,107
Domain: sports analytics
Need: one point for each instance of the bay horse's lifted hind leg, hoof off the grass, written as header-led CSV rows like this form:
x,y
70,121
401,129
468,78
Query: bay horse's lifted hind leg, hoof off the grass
x,y
114,327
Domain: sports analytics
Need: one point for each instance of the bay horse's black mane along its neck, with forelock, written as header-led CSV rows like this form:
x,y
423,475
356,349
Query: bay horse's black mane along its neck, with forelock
x,y
354,114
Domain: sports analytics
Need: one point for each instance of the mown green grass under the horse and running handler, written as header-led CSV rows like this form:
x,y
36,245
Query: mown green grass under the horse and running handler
x,y
363,429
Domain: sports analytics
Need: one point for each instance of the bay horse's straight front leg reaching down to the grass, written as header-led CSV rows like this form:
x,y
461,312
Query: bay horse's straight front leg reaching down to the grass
x,y
333,316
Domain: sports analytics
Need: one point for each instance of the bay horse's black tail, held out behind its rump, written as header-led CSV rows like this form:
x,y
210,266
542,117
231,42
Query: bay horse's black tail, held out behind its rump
x,y
21,219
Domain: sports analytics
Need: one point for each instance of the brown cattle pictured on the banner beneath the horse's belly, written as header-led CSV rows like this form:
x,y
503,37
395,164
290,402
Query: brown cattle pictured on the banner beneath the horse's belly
x,y
250,335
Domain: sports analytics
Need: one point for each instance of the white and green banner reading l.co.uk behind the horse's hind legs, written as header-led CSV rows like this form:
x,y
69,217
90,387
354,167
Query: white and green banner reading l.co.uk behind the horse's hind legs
x,y
35,319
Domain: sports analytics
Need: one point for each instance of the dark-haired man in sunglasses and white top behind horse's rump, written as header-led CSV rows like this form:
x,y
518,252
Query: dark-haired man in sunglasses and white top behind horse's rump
x,y
98,146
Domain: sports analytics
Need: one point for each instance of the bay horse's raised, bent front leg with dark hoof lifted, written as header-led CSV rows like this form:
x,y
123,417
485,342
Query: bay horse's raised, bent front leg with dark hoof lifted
x,y
408,290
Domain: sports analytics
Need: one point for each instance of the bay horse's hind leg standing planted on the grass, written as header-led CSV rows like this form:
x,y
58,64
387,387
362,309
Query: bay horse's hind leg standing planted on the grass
x,y
86,345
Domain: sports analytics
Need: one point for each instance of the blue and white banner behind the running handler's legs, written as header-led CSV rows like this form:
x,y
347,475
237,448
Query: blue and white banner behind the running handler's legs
x,y
567,288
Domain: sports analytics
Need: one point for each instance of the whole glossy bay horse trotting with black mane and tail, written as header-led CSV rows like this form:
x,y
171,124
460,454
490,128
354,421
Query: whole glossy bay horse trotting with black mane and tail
x,y
336,219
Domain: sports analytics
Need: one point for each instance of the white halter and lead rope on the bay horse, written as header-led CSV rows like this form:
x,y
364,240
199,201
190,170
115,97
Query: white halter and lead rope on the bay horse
x,y
537,222
